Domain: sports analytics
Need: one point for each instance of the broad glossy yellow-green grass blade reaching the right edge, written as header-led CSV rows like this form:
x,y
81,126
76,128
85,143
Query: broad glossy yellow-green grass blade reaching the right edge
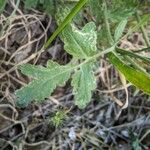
x,y
136,77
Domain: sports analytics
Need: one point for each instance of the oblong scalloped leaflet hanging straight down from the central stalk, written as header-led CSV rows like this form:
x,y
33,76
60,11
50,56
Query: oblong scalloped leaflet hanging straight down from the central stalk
x,y
83,83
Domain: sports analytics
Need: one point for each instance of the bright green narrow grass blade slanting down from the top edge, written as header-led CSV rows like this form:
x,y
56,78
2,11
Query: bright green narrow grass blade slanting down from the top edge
x,y
67,20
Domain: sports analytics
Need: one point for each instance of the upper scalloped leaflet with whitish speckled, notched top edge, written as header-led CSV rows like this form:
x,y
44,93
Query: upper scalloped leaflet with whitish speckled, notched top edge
x,y
80,43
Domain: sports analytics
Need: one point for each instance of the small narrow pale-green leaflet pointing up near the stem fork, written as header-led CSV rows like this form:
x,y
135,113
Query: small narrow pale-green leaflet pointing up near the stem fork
x,y
119,30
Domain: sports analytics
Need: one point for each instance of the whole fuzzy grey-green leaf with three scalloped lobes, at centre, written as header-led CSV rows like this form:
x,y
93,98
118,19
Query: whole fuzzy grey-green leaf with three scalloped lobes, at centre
x,y
45,79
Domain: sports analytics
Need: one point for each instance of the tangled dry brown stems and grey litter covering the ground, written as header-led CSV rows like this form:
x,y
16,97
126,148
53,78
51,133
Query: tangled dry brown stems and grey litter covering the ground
x,y
102,125
